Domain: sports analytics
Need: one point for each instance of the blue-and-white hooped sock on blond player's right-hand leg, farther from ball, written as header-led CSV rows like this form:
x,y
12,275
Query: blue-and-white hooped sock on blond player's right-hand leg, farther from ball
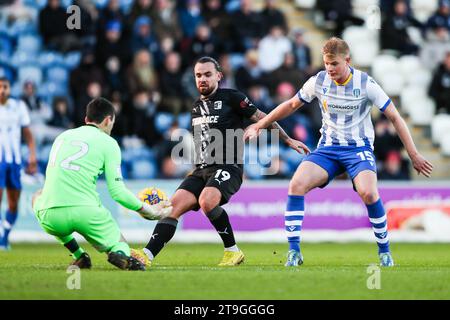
x,y
377,217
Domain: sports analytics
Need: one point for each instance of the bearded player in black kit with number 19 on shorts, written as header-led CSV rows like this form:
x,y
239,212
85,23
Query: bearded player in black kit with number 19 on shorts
x,y
218,173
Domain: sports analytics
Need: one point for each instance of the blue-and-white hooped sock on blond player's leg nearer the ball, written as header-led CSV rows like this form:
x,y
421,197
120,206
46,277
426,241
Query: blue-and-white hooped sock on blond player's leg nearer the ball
x,y
293,219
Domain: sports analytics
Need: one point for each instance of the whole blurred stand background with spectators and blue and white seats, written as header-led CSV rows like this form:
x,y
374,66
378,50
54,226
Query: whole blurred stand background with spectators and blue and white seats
x,y
140,54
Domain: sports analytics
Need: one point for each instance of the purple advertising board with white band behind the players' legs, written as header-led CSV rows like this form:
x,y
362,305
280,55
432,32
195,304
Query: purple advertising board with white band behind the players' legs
x,y
258,207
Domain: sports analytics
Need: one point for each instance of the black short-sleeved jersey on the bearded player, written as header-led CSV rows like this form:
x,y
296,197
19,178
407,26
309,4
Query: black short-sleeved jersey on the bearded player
x,y
218,123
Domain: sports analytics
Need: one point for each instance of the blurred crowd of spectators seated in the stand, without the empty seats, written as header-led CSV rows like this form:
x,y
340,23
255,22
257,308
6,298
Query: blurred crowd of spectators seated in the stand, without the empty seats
x,y
140,55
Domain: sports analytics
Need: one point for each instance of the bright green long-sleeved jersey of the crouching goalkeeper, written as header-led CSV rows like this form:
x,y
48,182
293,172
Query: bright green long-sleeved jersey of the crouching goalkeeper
x,y
77,158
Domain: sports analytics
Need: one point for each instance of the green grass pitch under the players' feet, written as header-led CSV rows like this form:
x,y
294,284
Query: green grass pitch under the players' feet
x,y
189,271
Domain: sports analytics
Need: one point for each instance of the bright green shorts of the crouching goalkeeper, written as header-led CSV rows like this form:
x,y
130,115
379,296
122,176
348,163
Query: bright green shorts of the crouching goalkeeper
x,y
95,224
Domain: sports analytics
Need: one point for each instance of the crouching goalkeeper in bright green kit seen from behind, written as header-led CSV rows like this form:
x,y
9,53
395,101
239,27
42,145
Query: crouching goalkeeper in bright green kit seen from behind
x,y
69,201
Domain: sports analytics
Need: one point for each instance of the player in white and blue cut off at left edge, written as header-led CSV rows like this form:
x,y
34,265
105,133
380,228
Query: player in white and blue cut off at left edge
x,y
14,120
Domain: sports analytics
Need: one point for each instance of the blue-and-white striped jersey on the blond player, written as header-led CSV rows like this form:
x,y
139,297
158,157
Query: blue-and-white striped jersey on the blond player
x,y
345,107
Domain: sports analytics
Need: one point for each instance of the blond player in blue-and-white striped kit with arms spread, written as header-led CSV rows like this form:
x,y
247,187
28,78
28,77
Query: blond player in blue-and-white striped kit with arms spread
x,y
346,96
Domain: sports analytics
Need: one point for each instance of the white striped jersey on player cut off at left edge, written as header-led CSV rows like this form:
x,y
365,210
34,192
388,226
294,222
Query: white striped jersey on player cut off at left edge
x,y
13,117
